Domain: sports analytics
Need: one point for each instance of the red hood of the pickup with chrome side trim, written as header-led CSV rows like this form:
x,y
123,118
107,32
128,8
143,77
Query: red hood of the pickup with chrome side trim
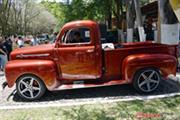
x,y
33,51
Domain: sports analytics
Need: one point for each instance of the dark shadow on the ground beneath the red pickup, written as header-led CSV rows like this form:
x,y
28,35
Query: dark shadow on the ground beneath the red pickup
x,y
113,92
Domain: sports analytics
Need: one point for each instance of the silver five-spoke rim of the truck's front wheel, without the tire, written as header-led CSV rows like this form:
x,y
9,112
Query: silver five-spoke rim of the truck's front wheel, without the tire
x,y
29,87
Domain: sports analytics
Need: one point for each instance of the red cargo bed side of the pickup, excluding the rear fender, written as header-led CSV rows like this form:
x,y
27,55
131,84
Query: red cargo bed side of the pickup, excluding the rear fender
x,y
113,58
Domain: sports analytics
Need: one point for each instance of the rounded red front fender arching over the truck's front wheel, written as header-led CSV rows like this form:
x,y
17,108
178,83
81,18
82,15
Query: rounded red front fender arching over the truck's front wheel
x,y
44,69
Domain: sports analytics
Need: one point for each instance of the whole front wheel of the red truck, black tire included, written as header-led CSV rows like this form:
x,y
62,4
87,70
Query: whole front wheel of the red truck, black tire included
x,y
30,87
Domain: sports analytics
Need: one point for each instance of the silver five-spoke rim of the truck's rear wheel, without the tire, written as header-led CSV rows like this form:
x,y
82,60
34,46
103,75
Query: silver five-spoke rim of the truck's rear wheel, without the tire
x,y
148,80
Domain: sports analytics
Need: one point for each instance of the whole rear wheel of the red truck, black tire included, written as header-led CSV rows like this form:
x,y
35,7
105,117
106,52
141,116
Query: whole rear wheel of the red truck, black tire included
x,y
147,80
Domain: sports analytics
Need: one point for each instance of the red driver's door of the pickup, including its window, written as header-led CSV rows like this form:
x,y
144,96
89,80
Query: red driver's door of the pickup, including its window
x,y
79,57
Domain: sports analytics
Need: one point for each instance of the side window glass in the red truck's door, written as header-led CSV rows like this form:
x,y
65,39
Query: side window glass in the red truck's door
x,y
77,35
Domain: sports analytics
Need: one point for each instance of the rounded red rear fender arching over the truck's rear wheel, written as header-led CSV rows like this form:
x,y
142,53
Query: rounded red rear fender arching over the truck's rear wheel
x,y
167,64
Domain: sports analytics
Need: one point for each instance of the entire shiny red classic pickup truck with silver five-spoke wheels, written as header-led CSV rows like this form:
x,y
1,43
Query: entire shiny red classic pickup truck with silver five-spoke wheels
x,y
79,60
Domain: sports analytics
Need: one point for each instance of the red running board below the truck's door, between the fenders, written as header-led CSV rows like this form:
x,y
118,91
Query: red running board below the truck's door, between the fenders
x,y
81,84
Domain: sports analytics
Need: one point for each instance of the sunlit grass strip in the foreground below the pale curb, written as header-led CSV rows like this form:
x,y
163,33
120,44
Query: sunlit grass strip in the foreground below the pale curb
x,y
158,109
